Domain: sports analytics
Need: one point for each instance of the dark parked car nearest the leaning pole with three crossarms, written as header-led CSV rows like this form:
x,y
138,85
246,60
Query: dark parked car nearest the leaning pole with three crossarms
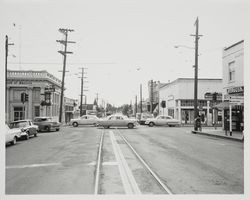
x,y
46,124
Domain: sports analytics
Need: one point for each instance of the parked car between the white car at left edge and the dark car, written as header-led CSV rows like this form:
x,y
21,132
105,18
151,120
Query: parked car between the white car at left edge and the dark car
x,y
27,127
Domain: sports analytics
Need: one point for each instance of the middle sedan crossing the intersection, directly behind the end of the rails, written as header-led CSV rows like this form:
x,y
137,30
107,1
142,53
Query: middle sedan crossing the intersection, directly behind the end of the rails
x,y
117,121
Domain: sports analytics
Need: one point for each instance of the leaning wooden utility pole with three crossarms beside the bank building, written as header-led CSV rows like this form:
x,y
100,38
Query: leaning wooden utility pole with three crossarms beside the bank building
x,y
64,53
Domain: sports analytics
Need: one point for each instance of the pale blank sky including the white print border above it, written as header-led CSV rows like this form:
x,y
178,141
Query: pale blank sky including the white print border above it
x,y
121,43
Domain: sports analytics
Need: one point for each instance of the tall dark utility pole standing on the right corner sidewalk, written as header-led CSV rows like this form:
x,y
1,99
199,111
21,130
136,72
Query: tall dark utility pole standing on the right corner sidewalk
x,y
197,37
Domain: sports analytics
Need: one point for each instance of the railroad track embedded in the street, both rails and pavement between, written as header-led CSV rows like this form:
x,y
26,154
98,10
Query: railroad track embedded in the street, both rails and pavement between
x,y
133,173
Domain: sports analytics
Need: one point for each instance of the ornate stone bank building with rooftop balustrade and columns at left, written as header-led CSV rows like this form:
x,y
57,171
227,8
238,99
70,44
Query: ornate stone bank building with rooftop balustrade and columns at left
x,y
43,92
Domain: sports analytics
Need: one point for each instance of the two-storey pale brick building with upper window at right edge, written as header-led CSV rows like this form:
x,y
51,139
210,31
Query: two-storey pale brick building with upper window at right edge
x,y
233,85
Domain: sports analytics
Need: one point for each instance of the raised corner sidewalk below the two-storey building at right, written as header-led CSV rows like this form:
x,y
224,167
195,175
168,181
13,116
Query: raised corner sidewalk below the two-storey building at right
x,y
220,133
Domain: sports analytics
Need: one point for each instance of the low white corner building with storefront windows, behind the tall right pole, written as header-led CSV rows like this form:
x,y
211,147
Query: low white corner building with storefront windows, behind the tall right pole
x,y
178,97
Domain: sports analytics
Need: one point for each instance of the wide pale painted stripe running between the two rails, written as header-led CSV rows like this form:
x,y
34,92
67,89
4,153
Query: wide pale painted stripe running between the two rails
x,y
128,180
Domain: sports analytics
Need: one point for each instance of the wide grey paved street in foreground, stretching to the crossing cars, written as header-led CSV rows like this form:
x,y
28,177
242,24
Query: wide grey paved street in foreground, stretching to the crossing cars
x,y
65,162
